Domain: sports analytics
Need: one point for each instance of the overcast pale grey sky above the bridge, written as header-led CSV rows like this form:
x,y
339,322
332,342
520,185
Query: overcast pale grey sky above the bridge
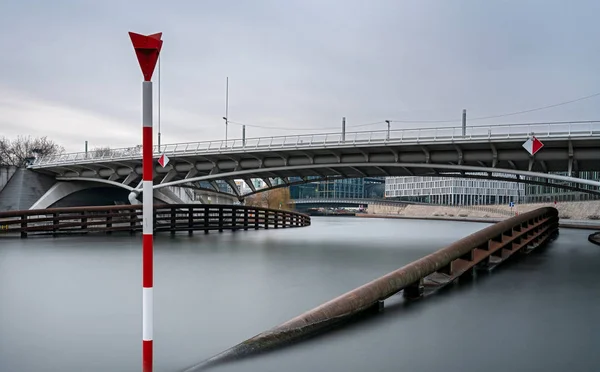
x,y
68,69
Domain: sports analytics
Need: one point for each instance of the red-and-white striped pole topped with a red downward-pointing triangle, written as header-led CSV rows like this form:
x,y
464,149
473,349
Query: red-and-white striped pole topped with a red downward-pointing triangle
x,y
147,49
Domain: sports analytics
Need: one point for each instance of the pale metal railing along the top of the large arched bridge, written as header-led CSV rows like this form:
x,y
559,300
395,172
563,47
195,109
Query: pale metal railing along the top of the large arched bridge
x,y
319,140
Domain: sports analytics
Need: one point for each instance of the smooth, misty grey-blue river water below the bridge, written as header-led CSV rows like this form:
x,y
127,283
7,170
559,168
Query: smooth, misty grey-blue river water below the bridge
x,y
74,303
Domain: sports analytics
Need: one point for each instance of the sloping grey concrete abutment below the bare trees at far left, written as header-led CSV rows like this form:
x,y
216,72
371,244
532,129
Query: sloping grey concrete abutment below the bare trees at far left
x,y
23,189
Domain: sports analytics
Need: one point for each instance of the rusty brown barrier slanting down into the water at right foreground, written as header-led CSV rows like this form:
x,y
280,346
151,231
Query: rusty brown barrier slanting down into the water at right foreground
x,y
487,247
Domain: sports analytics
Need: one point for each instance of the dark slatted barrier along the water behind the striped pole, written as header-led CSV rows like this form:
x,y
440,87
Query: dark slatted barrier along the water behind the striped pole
x,y
168,217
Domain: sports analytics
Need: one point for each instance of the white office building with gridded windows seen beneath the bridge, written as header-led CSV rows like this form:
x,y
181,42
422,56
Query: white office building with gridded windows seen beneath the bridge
x,y
453,191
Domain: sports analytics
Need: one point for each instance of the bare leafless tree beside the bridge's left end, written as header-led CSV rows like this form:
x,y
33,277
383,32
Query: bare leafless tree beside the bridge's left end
x,y
18,151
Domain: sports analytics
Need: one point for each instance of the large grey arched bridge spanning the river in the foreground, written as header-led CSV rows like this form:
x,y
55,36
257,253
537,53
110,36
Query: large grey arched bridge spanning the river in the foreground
x,y
491,152
